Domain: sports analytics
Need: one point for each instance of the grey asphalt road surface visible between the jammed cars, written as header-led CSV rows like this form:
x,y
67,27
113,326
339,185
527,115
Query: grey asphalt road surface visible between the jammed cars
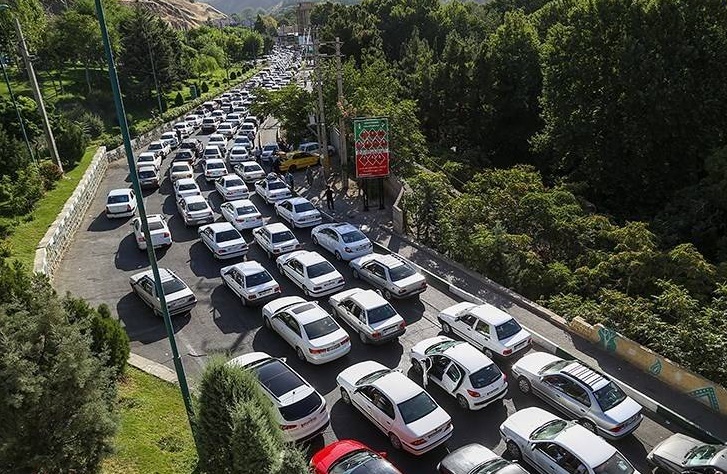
x,y
104,255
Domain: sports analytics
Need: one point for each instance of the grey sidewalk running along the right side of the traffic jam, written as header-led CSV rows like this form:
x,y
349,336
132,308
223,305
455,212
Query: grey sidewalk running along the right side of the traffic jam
x,y
377,224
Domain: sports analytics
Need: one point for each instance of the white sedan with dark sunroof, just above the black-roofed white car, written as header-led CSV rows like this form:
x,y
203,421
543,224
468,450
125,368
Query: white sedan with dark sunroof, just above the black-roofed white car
x,y
308,328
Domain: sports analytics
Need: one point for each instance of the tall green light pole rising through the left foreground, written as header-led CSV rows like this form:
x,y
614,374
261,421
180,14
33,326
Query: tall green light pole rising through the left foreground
x,y
120,113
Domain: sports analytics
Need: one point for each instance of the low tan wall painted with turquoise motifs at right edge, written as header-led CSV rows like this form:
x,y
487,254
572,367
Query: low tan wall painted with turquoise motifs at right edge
x,y
676,376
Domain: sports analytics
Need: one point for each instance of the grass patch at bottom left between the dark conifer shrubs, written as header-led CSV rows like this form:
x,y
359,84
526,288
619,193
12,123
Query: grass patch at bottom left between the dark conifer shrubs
x,y
154,435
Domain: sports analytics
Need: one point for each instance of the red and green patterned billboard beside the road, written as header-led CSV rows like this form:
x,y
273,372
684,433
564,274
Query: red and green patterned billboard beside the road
x,y
371,137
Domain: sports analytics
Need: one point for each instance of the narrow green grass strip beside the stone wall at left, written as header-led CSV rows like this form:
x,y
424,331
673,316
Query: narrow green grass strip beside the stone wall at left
x,y
27,235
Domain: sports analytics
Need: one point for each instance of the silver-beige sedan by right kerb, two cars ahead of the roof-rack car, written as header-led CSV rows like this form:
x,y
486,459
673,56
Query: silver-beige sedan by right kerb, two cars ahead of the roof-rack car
x,y
393,275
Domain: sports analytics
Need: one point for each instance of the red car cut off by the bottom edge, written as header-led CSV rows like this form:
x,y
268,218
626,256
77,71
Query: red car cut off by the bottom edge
x,y
351,457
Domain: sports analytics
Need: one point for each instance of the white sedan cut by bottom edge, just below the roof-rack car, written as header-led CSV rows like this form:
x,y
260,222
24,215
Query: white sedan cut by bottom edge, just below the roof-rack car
x,y
555,446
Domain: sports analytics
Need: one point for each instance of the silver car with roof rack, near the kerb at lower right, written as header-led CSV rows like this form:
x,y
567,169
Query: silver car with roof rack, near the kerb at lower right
x,y
579,391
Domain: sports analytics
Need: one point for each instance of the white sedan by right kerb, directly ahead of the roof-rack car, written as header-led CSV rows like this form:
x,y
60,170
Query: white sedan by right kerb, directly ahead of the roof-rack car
x,y
486,327
